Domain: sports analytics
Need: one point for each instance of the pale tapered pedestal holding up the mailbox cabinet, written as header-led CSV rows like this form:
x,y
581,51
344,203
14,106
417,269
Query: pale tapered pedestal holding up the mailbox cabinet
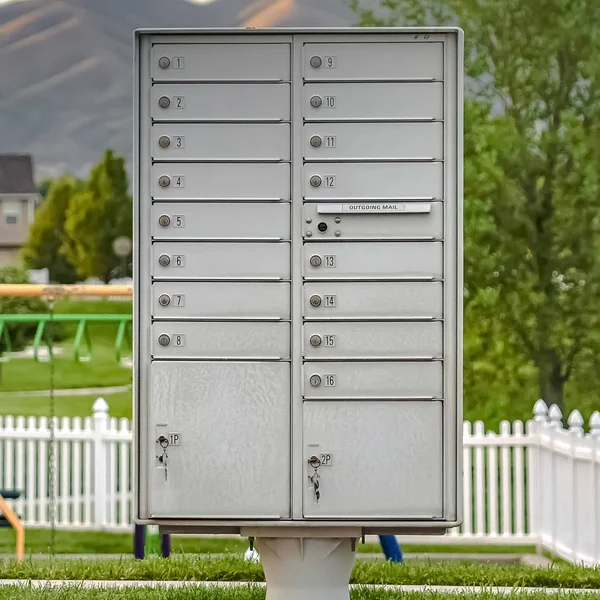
x,y
307,568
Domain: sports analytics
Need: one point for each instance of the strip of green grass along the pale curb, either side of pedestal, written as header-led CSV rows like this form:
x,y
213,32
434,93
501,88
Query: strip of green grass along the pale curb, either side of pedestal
x,y
185,567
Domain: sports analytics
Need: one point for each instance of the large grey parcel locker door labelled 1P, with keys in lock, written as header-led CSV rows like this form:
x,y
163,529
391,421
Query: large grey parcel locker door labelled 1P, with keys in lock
x,y
234,434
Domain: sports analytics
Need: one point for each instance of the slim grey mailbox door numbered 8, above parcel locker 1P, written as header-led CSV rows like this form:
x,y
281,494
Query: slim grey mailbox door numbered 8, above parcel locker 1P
x,y
225,340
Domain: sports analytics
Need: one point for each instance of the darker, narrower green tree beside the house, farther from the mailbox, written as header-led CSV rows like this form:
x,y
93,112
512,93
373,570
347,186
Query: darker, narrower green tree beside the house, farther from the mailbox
x,y
47,233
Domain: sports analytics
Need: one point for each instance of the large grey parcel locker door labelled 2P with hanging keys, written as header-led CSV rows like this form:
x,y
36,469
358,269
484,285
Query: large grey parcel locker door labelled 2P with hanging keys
x,y
385,459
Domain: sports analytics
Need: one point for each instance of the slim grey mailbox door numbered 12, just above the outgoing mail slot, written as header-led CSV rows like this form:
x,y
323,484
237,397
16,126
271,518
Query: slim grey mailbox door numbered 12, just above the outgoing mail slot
x,y
374,181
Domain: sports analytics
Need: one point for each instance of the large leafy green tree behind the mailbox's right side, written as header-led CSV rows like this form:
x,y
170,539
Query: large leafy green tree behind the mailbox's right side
x,y
533,68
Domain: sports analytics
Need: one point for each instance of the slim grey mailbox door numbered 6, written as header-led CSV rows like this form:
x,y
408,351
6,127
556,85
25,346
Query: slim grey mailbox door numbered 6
x,y
216,260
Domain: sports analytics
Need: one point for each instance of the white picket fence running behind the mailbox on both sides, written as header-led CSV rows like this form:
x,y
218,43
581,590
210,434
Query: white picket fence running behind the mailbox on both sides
x,y
534,483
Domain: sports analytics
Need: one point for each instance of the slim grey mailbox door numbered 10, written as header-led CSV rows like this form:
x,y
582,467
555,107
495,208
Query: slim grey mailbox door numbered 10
x,y
373,101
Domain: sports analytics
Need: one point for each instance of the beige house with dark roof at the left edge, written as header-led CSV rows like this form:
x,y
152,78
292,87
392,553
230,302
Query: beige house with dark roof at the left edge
x,y
19,198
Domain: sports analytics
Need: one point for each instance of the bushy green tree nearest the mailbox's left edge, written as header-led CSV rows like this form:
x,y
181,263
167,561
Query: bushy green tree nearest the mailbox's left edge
x,y
96,216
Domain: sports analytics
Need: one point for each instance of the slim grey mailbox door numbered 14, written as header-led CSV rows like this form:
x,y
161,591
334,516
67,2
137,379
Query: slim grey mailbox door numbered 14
x,y
331,300
